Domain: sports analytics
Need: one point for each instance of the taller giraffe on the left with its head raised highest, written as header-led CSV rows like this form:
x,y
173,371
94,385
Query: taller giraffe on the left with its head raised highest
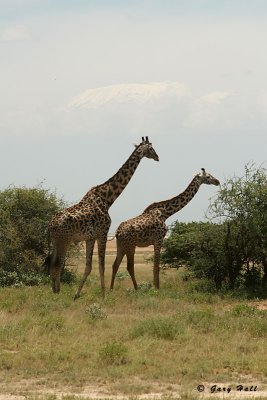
x,y
89,220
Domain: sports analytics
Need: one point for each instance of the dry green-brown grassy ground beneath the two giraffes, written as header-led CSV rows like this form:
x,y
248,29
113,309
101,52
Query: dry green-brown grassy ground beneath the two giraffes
x,y
147,343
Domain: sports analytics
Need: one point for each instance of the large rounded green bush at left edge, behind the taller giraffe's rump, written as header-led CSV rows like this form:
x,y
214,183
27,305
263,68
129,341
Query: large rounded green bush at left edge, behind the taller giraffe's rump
x,y
24,217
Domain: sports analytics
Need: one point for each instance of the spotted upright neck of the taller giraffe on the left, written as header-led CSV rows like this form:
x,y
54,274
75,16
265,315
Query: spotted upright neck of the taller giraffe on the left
x,y
110,190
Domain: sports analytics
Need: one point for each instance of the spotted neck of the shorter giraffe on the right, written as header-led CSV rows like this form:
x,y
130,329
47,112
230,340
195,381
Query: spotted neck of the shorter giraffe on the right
x,y
175,204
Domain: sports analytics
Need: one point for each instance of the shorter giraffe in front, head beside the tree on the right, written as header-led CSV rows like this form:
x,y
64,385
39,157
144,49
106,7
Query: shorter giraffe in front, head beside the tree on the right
x,y
149,228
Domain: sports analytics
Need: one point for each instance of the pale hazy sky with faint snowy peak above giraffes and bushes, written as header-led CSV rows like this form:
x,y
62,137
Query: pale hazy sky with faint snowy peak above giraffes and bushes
x,y
81,81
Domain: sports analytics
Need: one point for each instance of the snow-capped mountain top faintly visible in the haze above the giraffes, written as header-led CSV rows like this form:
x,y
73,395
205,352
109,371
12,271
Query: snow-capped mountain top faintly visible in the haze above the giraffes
x,y
125,93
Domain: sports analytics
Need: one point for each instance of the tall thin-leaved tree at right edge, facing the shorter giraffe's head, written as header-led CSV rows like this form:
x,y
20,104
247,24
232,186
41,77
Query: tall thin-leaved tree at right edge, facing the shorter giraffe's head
x,y
242,204
